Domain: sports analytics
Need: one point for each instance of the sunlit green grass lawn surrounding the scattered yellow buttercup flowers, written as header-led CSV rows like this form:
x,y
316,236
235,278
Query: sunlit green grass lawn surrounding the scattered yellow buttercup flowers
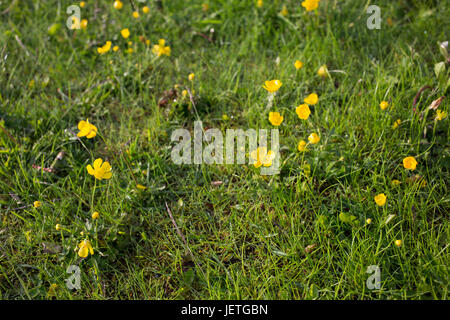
x,y
246,238
